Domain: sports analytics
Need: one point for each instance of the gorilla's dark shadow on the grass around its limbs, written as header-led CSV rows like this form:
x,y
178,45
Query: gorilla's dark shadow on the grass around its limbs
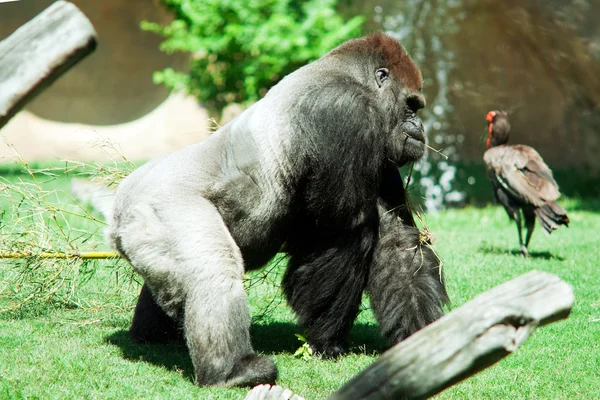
x,y
270,339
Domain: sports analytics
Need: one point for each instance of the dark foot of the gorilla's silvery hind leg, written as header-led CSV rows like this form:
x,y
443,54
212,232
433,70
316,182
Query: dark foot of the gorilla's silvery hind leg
x,y
253,370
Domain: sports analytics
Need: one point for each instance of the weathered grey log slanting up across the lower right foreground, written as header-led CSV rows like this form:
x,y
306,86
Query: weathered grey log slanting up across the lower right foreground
x,y
465,341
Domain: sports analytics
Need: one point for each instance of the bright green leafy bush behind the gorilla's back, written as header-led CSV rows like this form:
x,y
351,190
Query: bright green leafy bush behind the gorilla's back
x,y
239,49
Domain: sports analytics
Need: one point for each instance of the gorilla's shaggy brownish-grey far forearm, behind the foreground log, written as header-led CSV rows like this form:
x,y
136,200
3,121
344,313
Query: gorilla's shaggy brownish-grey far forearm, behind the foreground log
x,y
405,284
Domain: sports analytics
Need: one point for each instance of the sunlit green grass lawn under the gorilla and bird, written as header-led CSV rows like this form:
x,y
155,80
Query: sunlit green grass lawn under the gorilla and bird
x,y
81,350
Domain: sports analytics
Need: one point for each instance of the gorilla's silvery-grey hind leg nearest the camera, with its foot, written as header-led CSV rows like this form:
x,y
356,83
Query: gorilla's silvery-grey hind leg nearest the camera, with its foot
x,y
194,270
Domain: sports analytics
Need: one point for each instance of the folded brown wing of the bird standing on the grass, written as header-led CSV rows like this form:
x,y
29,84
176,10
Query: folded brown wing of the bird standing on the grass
x,y
521,171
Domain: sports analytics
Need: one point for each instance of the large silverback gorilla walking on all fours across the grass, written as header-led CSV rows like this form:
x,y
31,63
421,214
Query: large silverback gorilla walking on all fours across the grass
x,y
314,166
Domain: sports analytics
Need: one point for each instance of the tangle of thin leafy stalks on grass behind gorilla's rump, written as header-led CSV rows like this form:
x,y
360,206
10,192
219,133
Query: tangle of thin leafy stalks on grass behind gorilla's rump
x,y
50,243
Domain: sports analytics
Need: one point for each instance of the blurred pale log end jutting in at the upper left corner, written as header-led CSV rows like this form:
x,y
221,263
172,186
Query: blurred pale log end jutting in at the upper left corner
x,y
39,52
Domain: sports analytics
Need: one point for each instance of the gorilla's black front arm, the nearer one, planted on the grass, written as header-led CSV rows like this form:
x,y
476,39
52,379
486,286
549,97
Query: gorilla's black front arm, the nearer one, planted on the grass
x,y
325,289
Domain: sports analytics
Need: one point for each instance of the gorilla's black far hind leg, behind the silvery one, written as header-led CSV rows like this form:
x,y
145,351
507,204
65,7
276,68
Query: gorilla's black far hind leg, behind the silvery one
x,y
151,324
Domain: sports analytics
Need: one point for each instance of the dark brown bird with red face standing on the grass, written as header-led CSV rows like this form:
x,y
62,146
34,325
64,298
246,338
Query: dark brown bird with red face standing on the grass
x,y
521,180
